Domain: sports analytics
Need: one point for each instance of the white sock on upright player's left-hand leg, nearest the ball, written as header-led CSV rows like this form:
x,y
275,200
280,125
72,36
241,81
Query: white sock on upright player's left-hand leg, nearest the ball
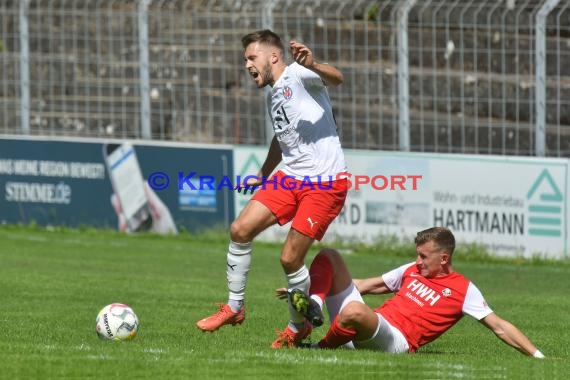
x,y
239,261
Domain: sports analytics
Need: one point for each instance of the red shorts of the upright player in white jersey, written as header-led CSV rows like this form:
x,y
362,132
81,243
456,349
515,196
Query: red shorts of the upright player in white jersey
x,y
311,206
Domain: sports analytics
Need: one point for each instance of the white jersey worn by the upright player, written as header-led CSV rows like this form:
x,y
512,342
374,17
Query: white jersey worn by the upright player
x,y
304,125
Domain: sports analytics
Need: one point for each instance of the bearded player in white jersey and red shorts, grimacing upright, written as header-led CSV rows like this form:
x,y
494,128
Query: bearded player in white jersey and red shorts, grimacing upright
x,y
308,190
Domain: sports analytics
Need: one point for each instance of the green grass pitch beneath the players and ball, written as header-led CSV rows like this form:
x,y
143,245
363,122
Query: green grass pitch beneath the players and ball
x,y
53,283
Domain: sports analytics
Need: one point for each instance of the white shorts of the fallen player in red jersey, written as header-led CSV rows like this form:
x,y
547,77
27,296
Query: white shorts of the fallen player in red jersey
x,y
387,338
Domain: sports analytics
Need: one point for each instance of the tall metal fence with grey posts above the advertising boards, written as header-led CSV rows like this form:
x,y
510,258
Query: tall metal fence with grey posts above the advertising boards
x,y
478,76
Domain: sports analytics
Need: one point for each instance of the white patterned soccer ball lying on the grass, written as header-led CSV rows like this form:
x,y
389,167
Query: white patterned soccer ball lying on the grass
x,y
117,322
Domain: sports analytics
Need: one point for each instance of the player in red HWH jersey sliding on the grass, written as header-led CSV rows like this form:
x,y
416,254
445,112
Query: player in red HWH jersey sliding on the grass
x,y
430,297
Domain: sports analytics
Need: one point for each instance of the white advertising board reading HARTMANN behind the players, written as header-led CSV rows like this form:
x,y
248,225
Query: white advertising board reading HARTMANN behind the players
x,y
514,206
